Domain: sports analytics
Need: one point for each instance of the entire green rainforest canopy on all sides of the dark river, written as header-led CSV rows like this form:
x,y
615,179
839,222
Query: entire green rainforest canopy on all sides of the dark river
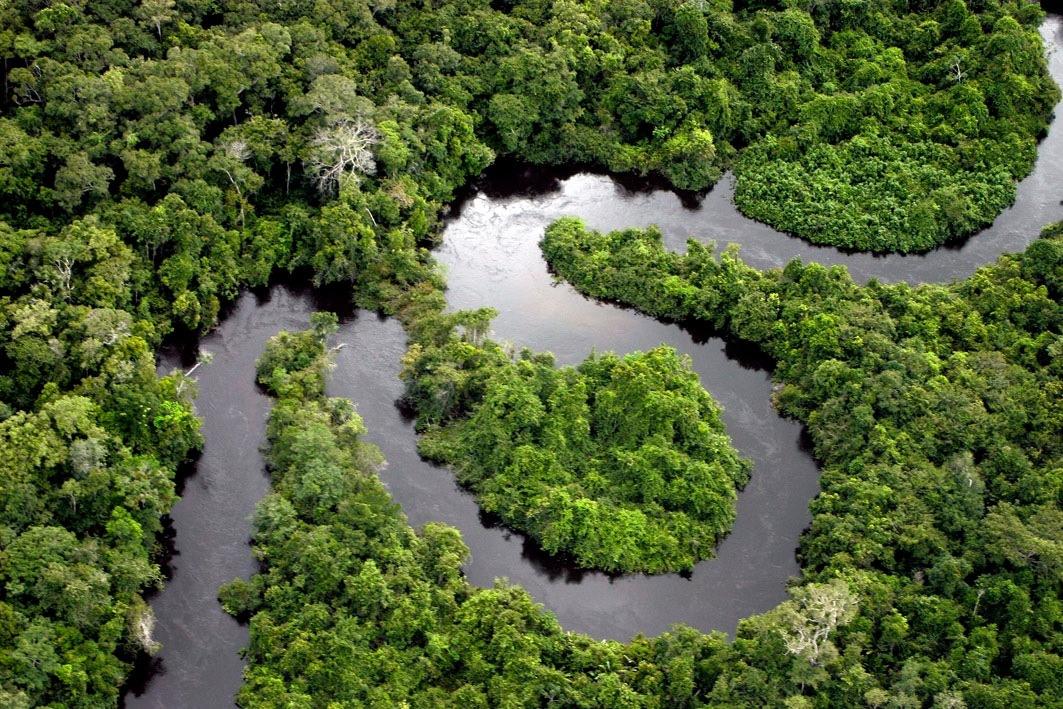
x,y
158,158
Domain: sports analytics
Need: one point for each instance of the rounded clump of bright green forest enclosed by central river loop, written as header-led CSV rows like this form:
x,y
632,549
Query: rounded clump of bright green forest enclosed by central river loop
x,y
622,463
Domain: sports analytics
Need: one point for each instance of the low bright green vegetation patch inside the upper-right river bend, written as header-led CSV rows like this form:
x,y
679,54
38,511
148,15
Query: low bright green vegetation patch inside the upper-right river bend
x,y
858,193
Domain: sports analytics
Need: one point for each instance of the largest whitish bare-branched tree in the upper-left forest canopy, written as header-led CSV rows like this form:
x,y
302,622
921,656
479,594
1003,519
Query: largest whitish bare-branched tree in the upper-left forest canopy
x,y
343,148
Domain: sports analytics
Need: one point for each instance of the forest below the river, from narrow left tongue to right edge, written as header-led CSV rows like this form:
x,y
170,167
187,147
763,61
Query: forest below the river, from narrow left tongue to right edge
x,y
932,573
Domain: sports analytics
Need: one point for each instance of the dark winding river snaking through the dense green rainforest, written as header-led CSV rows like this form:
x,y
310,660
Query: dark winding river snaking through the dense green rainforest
x,y
492,257
